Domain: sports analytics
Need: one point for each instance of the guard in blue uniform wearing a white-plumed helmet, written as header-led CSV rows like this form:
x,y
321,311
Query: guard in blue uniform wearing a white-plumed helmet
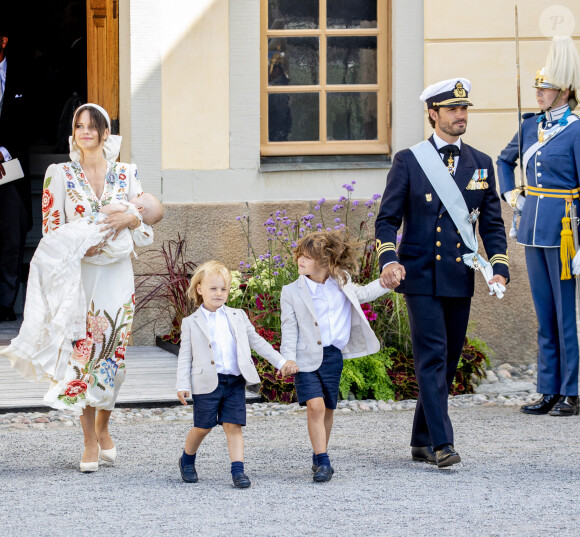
x,y
550,153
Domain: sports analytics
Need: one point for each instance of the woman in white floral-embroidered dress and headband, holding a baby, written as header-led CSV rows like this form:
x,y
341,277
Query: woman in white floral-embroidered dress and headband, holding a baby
x,y
74,190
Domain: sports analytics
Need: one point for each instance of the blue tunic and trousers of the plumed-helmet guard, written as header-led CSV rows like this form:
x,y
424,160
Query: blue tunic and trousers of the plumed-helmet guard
x,y
553,167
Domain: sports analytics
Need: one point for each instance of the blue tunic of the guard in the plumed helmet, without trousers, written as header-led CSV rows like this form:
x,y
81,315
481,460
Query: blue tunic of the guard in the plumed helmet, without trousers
x,y
555,166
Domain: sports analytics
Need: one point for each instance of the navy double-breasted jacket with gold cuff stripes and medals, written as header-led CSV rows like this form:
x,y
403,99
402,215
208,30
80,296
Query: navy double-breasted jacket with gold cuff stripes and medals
x,y
431,247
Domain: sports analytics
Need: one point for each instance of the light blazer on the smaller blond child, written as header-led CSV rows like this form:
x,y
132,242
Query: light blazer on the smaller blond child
x,y
196,362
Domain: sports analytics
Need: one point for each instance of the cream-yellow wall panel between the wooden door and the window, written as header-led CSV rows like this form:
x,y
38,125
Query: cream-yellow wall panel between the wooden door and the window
x,y
195,85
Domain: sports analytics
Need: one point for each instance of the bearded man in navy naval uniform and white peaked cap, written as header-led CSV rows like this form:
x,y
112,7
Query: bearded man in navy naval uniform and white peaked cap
x,y
428,266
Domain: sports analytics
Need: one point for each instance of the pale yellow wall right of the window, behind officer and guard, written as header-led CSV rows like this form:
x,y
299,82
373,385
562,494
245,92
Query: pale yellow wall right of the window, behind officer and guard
x,y
475,39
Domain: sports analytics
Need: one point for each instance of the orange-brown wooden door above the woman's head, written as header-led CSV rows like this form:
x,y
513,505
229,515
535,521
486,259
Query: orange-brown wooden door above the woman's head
x,y
103,57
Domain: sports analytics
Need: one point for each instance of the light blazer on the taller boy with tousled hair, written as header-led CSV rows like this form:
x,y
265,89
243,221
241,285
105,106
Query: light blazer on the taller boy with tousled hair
x,y
301,340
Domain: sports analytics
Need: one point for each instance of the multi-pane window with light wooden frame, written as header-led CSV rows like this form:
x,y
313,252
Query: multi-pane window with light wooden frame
x,y
324,77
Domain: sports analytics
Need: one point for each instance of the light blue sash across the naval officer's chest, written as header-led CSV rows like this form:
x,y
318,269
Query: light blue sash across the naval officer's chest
x,y
451,197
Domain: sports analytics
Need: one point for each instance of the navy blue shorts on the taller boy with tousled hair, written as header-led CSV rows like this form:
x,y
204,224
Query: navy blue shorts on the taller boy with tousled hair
x,y
324,382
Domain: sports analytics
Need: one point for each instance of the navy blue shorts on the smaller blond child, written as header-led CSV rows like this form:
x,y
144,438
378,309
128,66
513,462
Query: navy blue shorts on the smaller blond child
x,y
226,404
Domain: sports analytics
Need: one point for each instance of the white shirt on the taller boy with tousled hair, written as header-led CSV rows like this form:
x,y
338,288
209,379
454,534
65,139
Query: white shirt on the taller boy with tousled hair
x,y
333,312
